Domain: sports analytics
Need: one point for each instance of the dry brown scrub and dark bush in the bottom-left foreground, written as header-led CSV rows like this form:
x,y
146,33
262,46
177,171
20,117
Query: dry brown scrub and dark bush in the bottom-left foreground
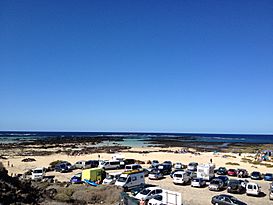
x,y
16,191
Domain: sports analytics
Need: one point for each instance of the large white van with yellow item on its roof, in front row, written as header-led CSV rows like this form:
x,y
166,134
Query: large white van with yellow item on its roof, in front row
x,y
131,179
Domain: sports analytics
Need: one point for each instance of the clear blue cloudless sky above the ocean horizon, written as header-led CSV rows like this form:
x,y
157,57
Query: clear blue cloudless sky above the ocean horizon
x,y
159,66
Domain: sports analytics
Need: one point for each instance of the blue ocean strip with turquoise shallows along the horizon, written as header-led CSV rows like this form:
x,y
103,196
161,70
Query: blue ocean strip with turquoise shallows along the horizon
x,y
138,139
